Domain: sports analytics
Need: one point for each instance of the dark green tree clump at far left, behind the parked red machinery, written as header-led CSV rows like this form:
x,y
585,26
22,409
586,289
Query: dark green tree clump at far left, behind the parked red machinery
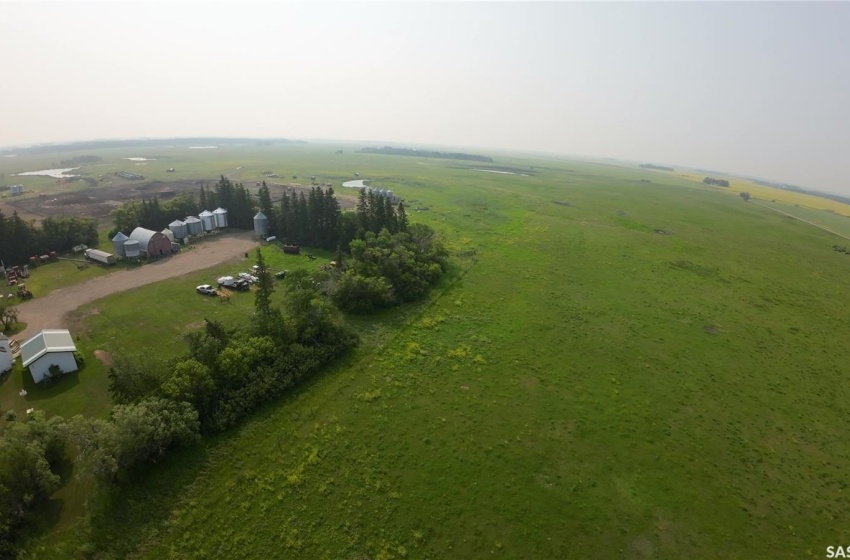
x,y
20,239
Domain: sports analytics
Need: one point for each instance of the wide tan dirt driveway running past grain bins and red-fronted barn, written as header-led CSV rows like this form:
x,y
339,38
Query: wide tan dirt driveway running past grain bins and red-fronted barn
x,y
50,312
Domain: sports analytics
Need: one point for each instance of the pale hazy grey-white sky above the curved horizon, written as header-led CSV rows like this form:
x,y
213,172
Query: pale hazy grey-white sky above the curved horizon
x,y
756,88
